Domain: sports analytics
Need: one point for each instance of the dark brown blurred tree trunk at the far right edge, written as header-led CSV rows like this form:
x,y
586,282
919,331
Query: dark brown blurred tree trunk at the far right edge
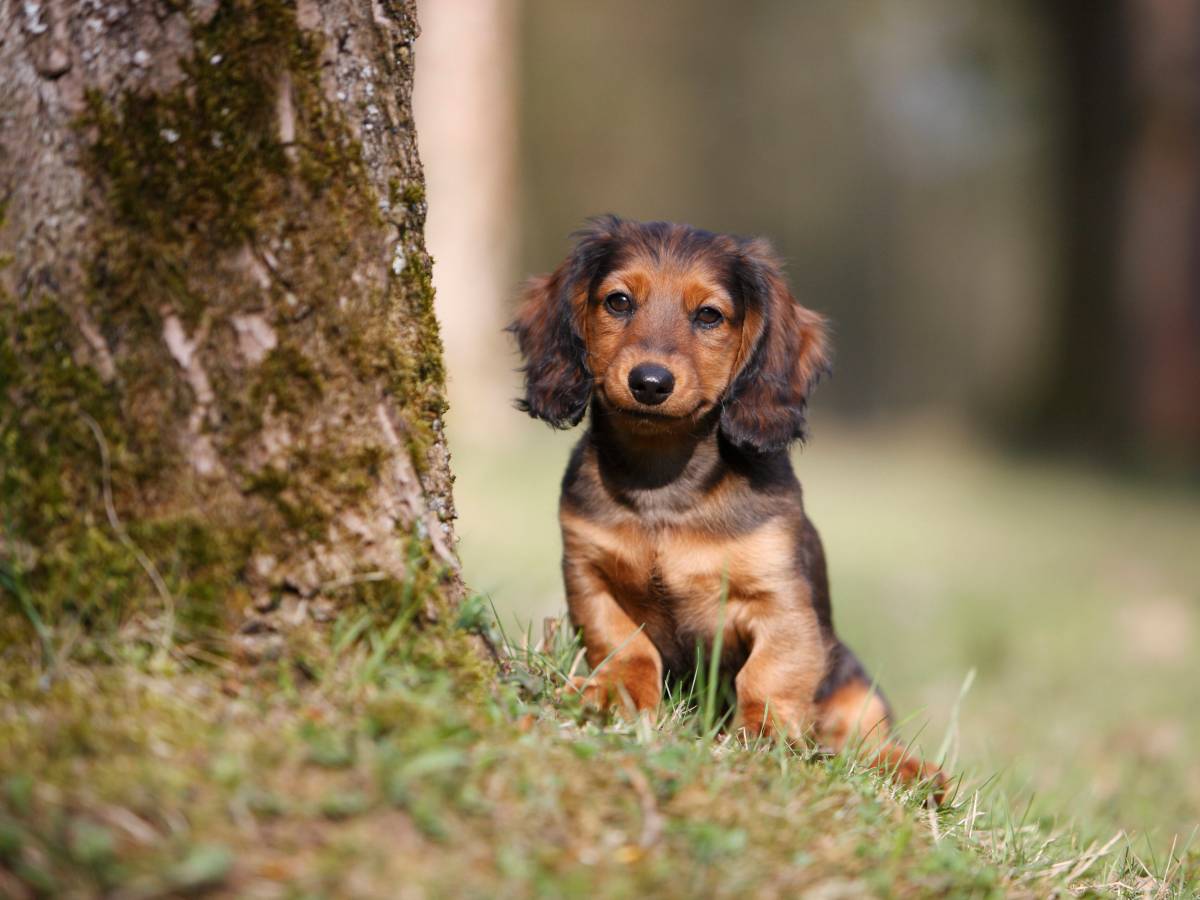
x,y
1124,369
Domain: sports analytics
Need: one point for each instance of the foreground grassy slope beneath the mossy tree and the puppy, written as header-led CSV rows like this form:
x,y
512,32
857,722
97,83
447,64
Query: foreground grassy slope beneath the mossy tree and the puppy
x,y
368,770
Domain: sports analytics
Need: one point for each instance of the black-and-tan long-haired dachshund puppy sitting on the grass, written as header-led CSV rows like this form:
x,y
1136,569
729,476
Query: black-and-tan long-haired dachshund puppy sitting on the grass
x,y
680,509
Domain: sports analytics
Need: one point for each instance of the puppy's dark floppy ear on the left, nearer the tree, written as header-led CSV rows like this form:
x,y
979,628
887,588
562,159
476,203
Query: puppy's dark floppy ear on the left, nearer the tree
x,y
549,328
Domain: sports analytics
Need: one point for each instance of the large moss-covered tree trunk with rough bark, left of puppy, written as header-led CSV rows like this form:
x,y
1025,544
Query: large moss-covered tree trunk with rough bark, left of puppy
x,y
221,383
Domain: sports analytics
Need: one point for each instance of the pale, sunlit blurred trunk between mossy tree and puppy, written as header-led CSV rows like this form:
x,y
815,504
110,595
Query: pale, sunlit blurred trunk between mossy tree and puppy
x,y
466,103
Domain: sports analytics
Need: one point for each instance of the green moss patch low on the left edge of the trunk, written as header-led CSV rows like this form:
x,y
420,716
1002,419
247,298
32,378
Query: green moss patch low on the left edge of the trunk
x,y
58,536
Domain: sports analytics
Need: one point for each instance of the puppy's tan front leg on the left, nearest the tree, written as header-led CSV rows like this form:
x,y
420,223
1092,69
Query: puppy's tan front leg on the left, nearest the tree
x,y
627,669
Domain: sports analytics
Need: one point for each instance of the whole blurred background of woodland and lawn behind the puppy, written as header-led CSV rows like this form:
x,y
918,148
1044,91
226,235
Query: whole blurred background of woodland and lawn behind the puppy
x,y
999,208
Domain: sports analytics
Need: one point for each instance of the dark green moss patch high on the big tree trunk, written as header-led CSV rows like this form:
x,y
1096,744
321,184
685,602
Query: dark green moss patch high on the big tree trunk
x,y
201,165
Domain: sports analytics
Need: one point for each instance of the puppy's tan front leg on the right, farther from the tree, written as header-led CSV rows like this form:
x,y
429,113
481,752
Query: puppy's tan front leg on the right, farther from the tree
x,y
781,677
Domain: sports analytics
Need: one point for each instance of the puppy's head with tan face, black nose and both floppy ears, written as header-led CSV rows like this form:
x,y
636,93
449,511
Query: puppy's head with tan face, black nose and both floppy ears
x,y
664,325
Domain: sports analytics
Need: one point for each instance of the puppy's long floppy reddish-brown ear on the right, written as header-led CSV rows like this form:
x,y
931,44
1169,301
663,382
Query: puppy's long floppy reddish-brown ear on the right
x,y
784,355
